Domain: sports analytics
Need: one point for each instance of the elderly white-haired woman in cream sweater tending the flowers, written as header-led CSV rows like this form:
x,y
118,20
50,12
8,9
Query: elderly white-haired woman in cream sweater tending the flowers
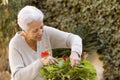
x,y
25,47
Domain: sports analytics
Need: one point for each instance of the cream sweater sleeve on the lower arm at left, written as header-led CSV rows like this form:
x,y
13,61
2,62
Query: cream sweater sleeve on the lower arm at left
x,y
18,69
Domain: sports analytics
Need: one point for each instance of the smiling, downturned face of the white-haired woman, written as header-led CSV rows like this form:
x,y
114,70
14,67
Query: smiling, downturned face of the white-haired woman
x,y
35,30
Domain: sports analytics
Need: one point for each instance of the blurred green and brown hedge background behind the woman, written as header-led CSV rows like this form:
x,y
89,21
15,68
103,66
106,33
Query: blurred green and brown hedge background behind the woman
x,y
96,21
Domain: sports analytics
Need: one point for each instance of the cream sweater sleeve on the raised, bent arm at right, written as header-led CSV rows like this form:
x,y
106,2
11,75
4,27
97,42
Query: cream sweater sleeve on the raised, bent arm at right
x,y
61,39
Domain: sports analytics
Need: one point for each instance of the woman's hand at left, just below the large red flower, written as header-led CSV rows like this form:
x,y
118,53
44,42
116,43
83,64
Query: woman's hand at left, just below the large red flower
x,y
48,60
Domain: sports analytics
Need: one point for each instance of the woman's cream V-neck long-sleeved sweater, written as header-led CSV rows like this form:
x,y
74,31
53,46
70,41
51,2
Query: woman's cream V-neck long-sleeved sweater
x,y
25,63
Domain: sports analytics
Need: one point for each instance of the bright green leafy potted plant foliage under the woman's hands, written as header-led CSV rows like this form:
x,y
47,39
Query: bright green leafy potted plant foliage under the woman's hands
x,y
63,71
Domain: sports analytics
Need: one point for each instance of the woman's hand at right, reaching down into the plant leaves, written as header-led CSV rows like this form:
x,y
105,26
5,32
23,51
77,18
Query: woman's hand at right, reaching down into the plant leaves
x,y
74,59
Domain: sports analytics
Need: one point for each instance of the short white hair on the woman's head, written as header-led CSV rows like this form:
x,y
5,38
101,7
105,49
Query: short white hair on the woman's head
x,y
27,15
